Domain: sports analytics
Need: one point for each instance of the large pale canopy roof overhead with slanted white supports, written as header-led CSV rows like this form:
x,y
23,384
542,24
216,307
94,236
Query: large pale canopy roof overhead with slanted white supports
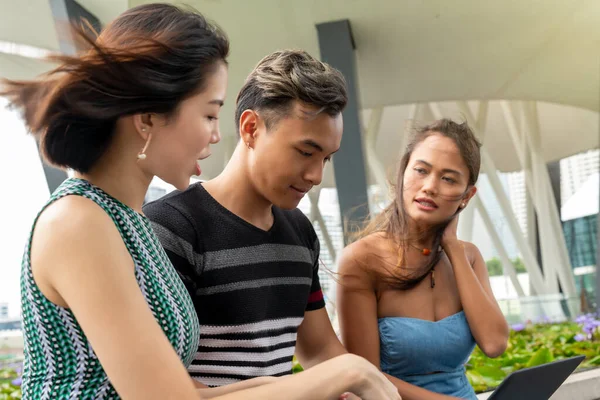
x,y
525,73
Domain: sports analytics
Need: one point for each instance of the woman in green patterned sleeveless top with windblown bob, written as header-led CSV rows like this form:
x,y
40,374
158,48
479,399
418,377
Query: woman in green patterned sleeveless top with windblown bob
x,y
105,314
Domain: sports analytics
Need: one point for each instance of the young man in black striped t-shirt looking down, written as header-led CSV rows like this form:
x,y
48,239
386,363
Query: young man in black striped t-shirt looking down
x,y
247,255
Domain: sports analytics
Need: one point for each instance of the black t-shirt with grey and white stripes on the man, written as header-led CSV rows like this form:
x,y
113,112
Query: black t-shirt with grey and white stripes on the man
x,y
250,287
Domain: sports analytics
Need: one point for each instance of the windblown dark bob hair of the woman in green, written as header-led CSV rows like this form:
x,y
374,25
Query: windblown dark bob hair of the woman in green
x,y
149,59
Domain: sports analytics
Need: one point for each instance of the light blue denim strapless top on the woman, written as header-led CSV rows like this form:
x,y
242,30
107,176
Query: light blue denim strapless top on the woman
x,y
411,349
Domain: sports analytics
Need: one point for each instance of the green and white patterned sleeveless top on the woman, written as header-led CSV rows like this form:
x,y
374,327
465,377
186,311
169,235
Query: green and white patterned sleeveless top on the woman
x,y
60,363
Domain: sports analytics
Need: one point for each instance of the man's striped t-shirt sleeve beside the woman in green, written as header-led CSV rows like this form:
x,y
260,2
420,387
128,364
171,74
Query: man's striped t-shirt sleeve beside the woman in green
x,y
178,237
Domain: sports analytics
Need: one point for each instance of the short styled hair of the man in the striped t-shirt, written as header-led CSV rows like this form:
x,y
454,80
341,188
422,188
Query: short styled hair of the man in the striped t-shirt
x,y
288,75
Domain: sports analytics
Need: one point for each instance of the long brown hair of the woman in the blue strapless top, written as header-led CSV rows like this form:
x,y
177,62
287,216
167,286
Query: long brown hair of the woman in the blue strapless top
x,y
393,222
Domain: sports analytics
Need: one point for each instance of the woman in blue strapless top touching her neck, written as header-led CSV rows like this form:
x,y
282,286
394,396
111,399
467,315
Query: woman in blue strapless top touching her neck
x,y
412,298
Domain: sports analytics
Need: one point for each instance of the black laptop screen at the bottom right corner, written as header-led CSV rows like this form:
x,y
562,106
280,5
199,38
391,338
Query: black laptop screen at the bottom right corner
x,y
536,383
